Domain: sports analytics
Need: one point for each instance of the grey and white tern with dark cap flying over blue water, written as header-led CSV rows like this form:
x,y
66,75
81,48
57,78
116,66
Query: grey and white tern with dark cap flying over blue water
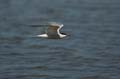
x,y
53,31
